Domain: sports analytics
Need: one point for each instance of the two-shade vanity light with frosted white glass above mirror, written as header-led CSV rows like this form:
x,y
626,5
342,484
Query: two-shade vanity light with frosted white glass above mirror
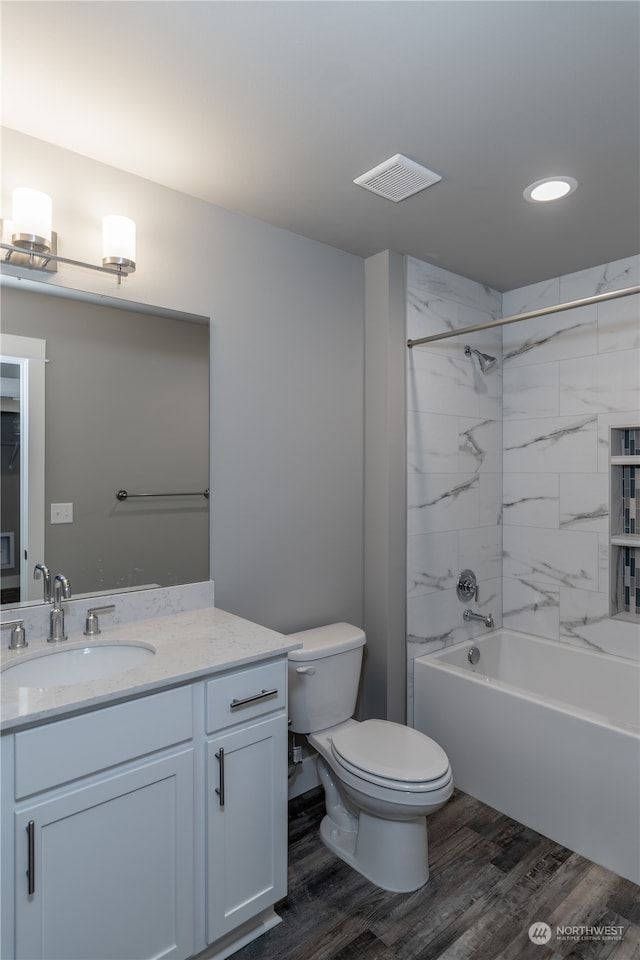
x,y
33,242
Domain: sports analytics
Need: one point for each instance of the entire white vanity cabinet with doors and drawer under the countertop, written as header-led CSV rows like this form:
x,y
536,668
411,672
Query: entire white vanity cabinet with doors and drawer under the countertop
x,y
149,829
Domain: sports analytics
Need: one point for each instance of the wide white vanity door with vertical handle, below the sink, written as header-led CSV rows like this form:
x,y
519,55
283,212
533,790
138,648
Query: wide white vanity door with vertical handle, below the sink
x,y
111,868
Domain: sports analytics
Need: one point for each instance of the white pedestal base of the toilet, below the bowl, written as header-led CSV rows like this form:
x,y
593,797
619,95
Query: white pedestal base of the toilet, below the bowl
x,y
392,854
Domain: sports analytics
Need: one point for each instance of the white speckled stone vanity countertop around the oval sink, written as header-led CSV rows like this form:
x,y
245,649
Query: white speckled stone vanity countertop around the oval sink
x,y
188,646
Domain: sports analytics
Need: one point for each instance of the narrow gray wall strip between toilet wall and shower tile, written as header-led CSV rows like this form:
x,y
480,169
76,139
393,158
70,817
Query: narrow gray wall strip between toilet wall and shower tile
x,y
383,693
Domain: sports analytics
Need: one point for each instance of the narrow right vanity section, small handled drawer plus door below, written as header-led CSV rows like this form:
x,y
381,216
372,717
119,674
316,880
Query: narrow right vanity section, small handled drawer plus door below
x,y
246,804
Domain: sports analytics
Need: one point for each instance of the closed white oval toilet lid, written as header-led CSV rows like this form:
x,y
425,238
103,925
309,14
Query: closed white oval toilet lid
x,y
390,751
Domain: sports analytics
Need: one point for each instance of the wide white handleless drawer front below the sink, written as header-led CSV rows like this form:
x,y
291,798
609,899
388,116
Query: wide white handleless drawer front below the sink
x,y
65,750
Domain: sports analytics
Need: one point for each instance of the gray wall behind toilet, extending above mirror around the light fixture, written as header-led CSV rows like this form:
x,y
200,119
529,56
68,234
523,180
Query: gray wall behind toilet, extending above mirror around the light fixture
x,y
287,369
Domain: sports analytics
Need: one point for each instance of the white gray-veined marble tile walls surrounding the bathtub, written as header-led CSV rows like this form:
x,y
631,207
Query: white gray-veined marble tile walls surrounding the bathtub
x,y
508,471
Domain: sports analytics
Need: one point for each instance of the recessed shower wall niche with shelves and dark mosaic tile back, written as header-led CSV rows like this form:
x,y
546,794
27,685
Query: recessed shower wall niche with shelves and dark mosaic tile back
x,y
624,523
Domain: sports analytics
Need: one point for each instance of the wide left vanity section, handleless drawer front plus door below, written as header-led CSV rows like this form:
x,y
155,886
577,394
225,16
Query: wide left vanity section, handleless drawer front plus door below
x,y
104,838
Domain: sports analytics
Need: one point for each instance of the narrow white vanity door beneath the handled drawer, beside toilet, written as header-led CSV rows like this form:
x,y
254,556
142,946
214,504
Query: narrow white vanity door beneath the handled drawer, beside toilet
x,y
246,824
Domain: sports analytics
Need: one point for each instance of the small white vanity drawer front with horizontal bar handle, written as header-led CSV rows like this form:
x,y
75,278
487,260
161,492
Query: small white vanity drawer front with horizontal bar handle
x,y
245,694
